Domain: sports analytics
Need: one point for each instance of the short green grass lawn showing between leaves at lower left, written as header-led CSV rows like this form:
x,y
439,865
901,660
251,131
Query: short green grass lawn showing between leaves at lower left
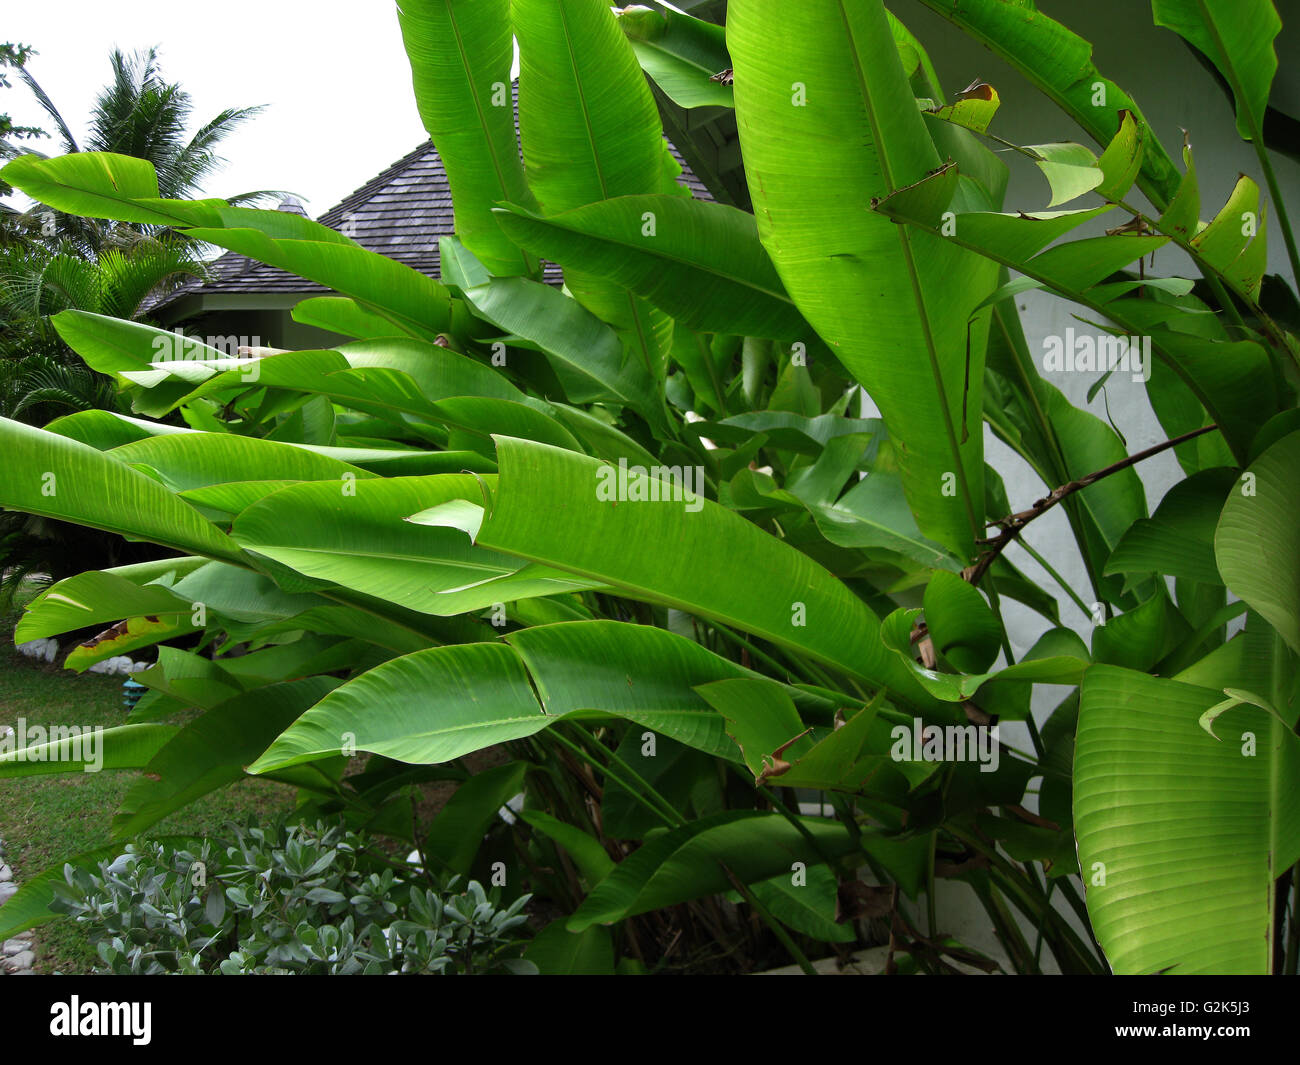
x,y
45,820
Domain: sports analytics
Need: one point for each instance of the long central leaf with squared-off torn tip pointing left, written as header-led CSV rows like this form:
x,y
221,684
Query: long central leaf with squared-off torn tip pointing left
x,y
681,553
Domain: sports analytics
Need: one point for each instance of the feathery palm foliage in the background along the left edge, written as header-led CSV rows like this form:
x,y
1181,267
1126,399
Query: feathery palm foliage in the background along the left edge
x,y
54,262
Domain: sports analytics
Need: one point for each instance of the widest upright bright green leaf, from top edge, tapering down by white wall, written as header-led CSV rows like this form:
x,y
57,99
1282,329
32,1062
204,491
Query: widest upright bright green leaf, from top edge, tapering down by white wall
x,y
895,306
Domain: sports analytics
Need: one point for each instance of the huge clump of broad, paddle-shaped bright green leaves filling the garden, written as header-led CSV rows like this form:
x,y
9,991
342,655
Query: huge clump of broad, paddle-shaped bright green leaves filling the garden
x,y
638,531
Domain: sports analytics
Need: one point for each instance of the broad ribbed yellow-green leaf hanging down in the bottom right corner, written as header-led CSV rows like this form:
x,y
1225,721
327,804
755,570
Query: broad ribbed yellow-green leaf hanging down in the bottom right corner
x,y
1181,834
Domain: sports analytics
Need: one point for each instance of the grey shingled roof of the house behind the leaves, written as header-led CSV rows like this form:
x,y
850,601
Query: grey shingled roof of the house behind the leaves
x,y
400,213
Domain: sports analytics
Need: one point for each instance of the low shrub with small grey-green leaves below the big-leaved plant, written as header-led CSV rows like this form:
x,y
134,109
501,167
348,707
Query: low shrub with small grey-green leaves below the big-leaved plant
x,y
288,901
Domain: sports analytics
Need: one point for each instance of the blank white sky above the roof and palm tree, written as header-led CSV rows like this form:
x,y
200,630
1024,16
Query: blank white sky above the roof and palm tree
x,y
333,73
